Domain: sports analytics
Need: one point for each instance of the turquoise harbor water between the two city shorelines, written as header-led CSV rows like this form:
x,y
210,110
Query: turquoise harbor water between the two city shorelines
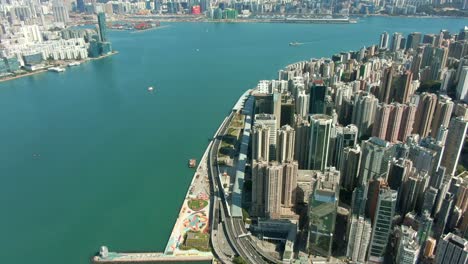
x,y
89,157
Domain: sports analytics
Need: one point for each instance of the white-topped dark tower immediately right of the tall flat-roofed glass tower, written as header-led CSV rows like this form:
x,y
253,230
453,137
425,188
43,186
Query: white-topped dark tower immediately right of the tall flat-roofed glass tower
x,y
345,137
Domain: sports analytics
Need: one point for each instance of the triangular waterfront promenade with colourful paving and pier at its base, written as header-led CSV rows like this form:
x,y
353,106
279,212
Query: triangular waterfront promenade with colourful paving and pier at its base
x,y
192,224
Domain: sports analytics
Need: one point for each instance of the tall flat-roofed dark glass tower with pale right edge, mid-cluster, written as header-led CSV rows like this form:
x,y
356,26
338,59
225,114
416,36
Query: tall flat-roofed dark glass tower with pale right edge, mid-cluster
x,y
320,129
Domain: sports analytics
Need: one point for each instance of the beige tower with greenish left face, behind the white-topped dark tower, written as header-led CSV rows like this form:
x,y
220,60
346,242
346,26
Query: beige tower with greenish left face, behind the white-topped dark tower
x,y
365,105
